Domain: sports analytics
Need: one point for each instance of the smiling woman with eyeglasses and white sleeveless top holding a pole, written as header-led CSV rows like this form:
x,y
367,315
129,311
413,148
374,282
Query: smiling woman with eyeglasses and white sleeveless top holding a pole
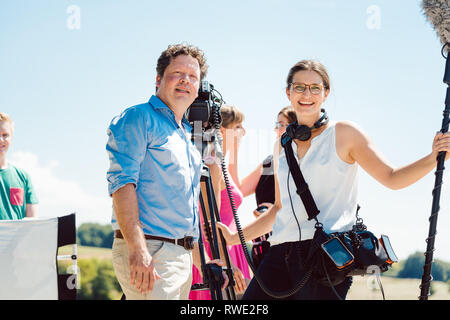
x,y
329,159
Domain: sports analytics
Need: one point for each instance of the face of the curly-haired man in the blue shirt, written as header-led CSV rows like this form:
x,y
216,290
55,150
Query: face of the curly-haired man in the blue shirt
x,y
179,85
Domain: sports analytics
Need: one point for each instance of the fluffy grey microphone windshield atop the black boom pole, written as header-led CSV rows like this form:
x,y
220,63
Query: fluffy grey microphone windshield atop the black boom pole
x,y
438,13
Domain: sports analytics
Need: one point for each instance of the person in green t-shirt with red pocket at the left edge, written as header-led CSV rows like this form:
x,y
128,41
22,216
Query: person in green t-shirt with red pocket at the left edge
x,y
17,197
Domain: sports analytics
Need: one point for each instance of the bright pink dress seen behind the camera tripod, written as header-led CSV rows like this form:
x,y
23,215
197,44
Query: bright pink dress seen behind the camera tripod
x,y
235,252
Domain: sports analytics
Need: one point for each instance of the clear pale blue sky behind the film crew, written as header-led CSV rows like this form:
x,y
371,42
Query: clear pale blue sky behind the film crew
x,y
62,87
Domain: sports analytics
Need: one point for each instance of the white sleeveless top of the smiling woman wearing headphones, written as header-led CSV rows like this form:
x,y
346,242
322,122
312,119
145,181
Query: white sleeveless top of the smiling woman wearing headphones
x,y
333,184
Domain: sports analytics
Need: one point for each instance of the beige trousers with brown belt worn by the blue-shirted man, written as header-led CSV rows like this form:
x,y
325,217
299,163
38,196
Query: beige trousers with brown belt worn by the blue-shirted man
x,y
172,262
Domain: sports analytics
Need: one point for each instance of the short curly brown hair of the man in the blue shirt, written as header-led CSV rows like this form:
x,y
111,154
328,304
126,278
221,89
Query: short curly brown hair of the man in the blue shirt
x,y
175,50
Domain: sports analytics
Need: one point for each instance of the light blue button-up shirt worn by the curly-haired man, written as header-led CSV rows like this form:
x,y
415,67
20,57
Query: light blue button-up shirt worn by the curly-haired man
x,y
146,147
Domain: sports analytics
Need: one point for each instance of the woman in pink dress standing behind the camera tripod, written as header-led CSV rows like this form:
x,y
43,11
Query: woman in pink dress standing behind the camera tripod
x,y
232,131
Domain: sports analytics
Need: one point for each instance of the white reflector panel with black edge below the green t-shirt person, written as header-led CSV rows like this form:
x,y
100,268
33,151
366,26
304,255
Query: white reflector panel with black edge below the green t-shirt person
x,y
28,251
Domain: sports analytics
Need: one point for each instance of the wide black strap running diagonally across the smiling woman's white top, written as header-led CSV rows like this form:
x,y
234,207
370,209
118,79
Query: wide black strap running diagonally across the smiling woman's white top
x,y
302,187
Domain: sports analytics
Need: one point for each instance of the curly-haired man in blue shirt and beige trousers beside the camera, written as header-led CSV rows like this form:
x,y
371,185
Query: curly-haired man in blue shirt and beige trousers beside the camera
x,y
154,181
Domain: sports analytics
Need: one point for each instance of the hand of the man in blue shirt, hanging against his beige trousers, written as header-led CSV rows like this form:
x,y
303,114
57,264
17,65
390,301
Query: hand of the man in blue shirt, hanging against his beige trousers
x,y
142,271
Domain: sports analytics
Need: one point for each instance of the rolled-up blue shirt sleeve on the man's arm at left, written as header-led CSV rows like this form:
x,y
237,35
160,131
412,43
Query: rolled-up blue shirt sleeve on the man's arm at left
x,y
126,148
